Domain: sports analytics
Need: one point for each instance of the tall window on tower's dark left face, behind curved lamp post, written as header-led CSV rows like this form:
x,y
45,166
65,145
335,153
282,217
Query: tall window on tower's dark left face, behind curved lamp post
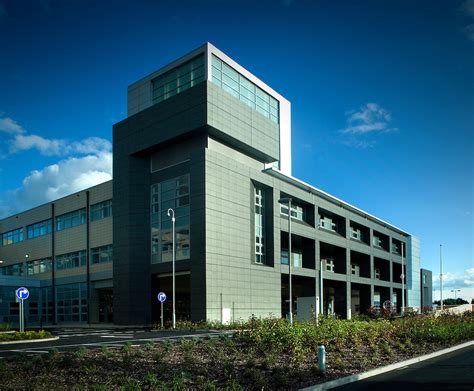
x,y
173,193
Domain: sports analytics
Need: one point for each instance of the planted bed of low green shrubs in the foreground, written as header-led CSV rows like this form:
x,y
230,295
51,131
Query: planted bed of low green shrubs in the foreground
x,y
267,354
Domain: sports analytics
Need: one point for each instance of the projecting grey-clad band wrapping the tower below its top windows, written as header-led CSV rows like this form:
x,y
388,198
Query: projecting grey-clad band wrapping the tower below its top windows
x,y
204,108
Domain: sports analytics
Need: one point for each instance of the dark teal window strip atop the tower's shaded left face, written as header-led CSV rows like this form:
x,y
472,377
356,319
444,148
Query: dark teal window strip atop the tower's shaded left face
x,y
178,79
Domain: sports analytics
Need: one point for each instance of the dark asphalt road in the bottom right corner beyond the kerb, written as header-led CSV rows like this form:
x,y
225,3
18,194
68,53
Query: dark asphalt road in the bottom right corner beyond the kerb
x,y
452,371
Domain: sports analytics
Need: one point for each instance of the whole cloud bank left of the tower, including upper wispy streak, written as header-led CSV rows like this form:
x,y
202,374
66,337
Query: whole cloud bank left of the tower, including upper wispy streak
x,y
84,163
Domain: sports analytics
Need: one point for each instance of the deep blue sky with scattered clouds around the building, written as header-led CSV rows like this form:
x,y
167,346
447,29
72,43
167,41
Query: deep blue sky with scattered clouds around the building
x,y
381,92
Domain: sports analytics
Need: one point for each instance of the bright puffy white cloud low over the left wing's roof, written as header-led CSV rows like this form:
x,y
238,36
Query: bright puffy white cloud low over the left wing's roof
x,y
58,180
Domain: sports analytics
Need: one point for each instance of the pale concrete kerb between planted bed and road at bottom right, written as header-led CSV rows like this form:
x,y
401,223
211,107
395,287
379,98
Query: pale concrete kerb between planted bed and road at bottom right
x,y
374,372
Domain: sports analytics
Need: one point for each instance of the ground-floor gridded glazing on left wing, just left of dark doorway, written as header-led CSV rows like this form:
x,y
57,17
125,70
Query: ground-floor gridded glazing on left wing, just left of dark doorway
x,y
71,302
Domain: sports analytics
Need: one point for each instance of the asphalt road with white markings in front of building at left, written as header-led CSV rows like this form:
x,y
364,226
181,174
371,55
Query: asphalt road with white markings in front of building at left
x,y
74,339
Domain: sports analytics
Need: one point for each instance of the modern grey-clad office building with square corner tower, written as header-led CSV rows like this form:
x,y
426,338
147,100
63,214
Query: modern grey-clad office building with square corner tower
x,y
210,140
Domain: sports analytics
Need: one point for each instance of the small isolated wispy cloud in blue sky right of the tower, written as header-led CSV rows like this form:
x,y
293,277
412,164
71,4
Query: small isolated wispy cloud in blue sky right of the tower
x,y
370,118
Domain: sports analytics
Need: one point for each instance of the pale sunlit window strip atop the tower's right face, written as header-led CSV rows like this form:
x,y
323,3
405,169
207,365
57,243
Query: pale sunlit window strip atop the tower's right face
x,y
243,89
